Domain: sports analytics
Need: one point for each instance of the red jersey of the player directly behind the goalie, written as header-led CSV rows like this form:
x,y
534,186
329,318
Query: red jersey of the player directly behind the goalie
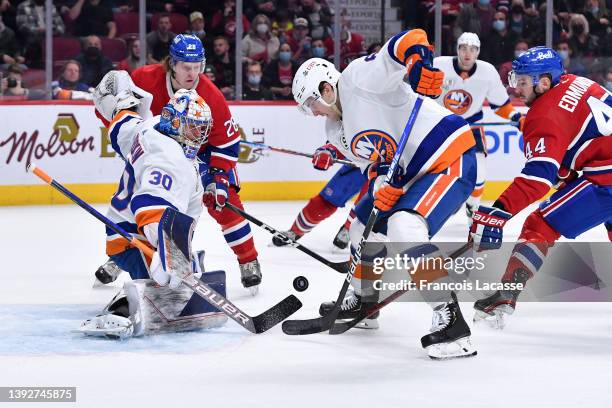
x,y
223,145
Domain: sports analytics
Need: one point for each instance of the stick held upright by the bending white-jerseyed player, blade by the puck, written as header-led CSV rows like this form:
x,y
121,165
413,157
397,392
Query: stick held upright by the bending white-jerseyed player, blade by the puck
x,y
317,325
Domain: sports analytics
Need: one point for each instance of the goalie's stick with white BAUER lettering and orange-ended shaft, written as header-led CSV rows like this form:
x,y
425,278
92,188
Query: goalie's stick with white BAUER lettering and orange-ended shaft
x,y
257,324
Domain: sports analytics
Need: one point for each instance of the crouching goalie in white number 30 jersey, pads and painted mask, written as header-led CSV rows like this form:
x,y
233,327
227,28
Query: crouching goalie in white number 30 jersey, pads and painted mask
x,y
160,172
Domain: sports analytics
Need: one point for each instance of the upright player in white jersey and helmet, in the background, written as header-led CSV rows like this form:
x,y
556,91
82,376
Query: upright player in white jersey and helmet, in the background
x,y
468,82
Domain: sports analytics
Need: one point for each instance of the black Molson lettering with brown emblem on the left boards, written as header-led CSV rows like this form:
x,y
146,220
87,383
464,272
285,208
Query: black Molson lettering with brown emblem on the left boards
x,y
63,141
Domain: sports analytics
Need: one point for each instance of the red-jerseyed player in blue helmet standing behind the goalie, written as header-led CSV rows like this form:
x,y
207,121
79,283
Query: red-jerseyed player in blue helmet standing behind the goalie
x,y
218,156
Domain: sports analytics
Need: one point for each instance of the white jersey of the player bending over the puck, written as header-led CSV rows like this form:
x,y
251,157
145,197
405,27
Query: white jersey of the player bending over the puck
x,y
376,103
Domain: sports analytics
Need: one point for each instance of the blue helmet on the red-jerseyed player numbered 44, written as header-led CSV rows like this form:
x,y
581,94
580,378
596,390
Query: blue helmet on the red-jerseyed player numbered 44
x,y
535,62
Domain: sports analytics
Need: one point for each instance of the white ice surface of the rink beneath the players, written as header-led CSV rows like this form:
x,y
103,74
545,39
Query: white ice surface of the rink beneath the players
x,y
549,355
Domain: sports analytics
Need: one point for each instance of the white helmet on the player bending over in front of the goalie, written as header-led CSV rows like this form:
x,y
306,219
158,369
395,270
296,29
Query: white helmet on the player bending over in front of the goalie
x,y
308,79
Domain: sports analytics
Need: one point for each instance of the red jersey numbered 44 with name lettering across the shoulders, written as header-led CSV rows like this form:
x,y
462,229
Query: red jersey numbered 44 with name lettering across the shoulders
x,y
567,127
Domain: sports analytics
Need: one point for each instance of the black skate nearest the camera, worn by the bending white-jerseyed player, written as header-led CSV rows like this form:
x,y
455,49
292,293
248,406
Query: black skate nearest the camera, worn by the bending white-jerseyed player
x,y
450,334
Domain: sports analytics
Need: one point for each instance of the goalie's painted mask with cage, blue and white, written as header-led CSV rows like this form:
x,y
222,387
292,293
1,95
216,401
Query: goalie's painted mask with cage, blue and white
x,y
188,120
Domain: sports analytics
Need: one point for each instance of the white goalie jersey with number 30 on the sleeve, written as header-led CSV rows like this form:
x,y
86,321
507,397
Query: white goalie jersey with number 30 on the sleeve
x,y
157,175
